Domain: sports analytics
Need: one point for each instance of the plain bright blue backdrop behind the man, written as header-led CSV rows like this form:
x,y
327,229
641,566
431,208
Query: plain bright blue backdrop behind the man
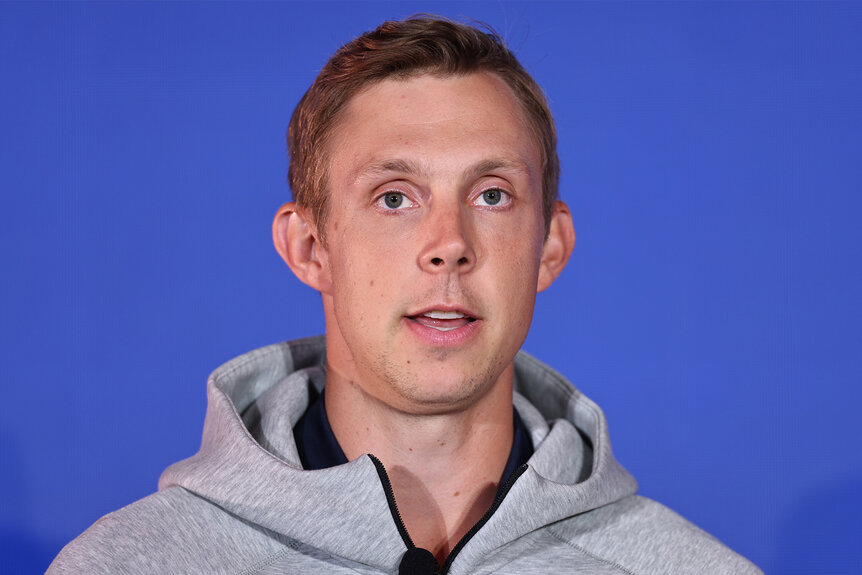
x,y
711,157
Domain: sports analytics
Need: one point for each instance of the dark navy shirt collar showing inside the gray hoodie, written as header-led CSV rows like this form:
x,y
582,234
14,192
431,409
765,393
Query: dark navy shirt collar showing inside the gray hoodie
x,y
318,448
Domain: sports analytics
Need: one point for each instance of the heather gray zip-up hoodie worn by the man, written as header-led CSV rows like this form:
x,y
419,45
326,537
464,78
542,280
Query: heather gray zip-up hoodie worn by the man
x,y
244,505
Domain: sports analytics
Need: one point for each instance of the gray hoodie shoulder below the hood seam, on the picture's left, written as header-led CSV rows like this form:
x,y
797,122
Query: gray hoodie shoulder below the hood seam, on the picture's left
x,y
172,531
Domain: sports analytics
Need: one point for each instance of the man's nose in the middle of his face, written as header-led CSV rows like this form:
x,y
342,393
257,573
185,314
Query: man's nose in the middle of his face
x,y
448,246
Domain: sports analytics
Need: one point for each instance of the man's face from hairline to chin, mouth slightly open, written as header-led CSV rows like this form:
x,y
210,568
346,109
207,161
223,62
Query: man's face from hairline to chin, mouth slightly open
x,y
434,239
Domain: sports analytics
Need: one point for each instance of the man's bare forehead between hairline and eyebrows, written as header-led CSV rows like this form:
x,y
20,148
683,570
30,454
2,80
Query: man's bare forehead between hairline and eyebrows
x,y
433,123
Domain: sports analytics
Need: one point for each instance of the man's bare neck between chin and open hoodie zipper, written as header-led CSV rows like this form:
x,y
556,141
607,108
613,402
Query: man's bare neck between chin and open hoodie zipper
x,y
444,467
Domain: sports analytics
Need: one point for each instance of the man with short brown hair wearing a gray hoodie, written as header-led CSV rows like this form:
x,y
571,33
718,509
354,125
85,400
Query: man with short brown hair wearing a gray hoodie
x,y
415,438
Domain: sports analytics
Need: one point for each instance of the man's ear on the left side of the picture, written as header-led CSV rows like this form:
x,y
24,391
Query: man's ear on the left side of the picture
x,y
296,240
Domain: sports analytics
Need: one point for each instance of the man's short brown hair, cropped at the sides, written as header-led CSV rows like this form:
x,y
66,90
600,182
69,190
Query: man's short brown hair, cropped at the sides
x,y
400,50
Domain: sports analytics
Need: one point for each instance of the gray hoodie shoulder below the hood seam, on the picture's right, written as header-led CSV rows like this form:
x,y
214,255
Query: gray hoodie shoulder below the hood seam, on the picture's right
x,y
639,536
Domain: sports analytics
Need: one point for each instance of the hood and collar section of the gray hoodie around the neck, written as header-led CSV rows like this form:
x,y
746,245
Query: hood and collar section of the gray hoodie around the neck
x,y
249,466
